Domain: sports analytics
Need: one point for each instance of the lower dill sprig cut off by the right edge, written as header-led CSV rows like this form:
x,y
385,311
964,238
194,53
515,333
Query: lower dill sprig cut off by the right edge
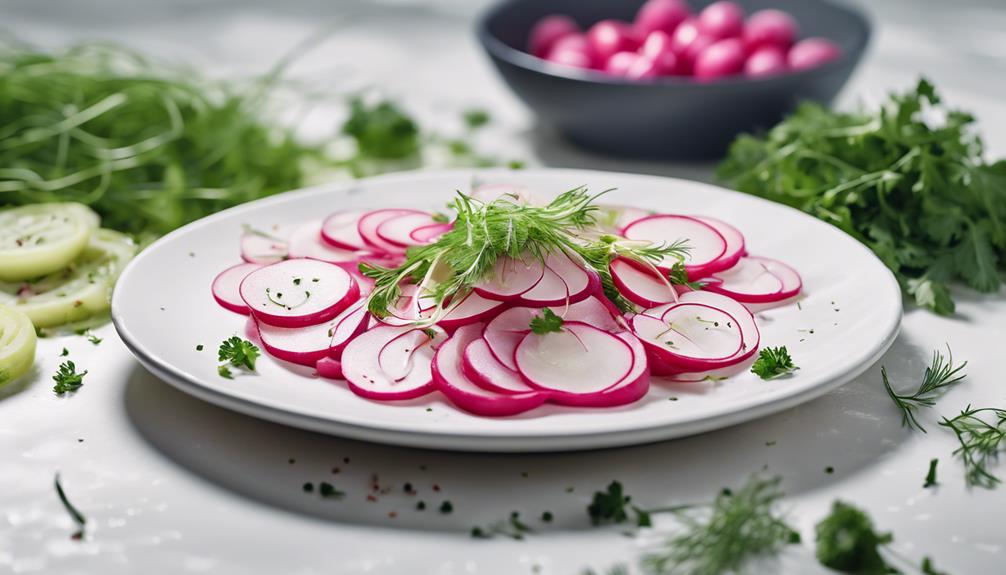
x,y
982,438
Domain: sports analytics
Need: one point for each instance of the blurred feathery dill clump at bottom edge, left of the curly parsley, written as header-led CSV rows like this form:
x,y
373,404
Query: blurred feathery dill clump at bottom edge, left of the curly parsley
x,y
741,525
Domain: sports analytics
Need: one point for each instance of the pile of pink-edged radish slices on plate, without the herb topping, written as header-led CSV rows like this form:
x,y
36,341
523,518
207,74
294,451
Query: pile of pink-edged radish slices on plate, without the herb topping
x,y
308,305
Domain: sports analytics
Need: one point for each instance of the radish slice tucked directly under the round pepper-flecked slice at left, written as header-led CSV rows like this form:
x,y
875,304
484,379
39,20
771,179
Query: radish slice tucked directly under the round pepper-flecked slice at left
x,y
307,345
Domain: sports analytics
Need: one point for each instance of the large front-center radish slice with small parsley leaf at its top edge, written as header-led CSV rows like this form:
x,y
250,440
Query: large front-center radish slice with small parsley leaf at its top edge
x,y
580,359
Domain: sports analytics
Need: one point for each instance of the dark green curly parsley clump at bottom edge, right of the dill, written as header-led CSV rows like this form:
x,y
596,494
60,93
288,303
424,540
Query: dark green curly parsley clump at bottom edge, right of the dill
x,y
847,542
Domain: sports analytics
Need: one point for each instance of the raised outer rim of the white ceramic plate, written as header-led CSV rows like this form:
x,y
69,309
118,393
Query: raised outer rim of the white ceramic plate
x,y
510,442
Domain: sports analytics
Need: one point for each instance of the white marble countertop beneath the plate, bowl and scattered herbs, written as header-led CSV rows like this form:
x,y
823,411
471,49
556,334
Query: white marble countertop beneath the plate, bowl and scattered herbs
x,y
174,485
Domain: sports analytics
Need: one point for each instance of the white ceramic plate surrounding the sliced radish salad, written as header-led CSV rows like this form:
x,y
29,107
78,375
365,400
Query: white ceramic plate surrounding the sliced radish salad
x,y
850,316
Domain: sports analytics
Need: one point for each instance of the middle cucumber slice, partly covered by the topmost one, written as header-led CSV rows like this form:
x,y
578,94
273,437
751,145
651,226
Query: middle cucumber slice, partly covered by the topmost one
x,y
79,292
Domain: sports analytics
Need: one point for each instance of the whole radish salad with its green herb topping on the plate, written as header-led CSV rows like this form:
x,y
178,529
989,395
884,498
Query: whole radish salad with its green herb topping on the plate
x,y
509,305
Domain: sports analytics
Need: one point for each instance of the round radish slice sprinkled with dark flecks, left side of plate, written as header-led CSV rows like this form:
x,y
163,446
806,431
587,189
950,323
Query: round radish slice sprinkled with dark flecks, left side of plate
x,y
296,293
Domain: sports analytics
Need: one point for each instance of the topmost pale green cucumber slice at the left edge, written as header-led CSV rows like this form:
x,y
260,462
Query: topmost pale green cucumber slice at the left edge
x,y
42,239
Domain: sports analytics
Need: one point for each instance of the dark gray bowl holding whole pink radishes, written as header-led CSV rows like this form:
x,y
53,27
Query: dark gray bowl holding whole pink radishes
x,y
667,118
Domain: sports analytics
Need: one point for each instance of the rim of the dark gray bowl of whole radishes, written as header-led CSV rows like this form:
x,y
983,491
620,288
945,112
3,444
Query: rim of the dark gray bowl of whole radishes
x,y
521,59
